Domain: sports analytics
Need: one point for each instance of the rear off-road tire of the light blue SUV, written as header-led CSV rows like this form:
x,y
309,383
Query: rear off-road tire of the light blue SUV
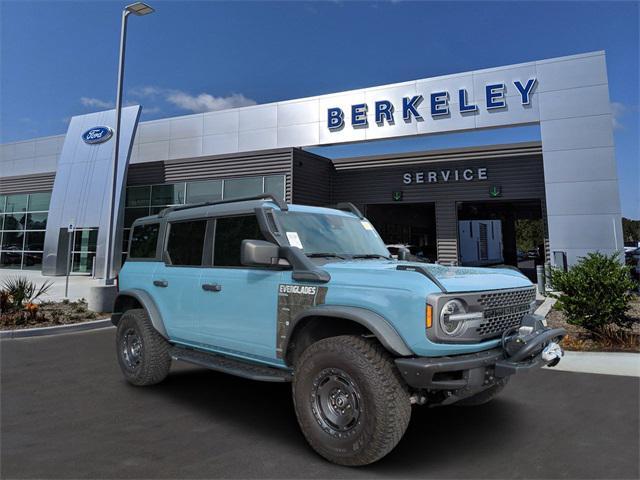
x,y
154,360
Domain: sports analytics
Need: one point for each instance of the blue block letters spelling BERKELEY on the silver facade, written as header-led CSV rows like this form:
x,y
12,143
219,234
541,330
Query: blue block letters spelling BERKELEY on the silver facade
x,y
384,110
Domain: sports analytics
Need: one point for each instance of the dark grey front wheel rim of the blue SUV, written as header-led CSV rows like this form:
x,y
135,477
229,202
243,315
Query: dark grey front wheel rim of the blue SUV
x,y
336,402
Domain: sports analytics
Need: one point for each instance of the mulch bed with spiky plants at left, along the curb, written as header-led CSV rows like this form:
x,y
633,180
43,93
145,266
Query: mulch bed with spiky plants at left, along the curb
x,y
50,314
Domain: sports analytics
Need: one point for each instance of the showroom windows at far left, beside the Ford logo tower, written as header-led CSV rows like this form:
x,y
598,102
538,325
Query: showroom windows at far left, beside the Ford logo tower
x,y
23,222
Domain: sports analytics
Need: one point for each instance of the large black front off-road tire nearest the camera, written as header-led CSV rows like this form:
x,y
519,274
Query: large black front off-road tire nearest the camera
x,y
384,404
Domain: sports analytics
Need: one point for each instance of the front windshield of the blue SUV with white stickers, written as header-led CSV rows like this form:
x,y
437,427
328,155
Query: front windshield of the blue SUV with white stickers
x,y
332,235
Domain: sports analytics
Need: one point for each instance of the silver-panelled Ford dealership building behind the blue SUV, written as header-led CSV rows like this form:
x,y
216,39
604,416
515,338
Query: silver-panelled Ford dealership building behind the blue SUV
x,y
522,204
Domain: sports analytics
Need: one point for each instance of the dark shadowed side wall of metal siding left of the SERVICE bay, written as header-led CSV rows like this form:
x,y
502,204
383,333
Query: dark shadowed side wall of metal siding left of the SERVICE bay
x,y
312,178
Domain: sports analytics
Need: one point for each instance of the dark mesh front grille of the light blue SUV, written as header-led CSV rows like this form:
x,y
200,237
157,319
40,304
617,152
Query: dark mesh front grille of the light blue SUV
x,y
504,310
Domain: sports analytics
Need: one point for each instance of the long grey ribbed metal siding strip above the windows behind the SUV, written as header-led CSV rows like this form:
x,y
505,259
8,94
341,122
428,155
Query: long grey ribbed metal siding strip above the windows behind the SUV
x,y
268,162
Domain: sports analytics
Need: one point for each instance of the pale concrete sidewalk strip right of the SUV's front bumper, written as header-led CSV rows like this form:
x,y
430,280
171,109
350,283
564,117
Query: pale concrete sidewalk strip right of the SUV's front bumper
x,y
607,363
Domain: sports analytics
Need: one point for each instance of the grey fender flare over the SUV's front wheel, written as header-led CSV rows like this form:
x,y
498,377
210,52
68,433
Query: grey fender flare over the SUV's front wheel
x,y
386,334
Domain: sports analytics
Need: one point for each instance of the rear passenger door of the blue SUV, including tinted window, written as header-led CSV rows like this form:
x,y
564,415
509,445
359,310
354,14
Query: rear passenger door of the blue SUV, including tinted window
x,y
176,281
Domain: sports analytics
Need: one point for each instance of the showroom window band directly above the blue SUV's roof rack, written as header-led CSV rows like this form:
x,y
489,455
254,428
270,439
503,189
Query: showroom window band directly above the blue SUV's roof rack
x,y
150,199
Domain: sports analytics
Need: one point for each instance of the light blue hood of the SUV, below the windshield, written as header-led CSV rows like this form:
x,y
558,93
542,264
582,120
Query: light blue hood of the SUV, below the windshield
x,y
453,279
